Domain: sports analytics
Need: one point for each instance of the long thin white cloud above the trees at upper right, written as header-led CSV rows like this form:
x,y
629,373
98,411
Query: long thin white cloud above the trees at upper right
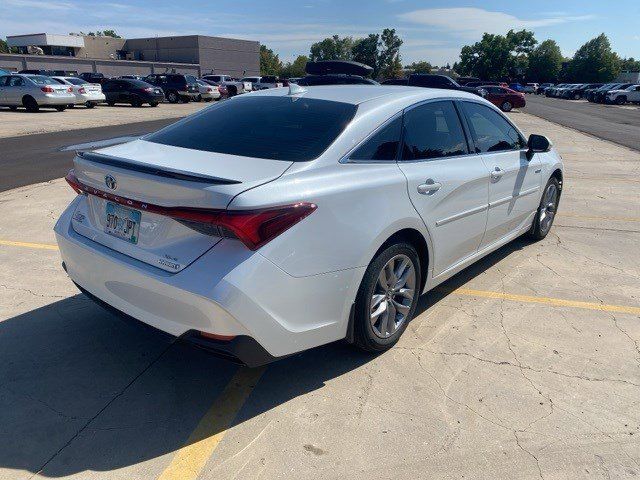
x,y
473,22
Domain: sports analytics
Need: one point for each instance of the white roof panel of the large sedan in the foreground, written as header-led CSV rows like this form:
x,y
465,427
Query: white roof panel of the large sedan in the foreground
x,y
357,94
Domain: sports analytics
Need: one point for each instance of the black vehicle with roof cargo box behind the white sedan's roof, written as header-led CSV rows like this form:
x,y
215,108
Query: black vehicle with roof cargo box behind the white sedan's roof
x,y
336,72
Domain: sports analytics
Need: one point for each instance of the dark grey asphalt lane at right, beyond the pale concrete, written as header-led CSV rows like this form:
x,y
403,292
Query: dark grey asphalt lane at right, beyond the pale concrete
x,y
617,123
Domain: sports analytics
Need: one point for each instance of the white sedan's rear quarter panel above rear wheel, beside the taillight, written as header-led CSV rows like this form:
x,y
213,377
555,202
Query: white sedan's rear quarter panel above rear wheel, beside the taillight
x,y
359,207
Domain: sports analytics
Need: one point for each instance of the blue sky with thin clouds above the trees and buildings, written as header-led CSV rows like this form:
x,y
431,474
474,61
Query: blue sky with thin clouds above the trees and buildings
x,y
432,30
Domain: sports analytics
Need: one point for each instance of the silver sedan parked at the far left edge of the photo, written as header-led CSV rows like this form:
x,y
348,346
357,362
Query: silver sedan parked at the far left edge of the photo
x,y
33,92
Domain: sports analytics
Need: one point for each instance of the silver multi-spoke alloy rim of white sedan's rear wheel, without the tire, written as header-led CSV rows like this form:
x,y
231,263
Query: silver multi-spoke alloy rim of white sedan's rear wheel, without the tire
x,y
392,296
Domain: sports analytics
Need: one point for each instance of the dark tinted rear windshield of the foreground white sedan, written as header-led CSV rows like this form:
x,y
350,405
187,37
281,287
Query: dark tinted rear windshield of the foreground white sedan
x,y
277,128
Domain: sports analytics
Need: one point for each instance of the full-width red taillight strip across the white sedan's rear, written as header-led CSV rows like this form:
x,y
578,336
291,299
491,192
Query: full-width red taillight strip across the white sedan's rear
x,y
254,228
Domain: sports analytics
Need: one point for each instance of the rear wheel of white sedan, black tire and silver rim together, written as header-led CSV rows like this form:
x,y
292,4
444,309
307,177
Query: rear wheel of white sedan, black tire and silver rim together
x,y
387,298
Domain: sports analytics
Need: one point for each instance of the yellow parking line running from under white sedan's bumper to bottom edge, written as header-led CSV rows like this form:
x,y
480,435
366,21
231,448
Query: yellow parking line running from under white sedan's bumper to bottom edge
x,y
189,461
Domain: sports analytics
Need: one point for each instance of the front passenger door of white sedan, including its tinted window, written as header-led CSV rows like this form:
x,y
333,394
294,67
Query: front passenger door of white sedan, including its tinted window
x,y
515,181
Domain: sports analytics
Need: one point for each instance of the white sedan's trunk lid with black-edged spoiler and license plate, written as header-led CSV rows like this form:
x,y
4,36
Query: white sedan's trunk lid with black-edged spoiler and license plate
x,y
123,179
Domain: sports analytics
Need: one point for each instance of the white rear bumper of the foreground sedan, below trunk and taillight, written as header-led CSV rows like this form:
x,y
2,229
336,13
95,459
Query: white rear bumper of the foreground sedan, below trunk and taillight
x,y
229,291
